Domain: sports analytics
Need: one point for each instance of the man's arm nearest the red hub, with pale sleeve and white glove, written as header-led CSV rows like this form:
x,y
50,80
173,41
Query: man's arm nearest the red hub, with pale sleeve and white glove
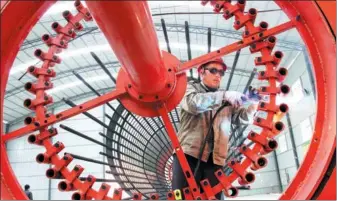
x,y
195,102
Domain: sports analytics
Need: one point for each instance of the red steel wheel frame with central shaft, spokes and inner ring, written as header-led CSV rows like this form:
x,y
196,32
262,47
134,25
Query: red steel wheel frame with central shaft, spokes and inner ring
x,y
17,20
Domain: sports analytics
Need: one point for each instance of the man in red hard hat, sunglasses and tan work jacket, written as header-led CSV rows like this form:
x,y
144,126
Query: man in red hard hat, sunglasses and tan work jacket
x,y
199,104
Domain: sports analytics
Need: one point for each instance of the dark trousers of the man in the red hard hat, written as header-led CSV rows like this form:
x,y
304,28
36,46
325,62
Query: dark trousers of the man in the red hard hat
x,y
206,171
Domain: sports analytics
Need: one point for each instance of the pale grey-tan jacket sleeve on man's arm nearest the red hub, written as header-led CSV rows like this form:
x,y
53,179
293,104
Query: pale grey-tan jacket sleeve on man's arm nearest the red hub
x,y
195,102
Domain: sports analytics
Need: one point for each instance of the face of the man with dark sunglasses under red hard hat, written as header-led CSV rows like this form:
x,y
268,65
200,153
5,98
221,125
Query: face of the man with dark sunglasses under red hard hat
x,y
212,74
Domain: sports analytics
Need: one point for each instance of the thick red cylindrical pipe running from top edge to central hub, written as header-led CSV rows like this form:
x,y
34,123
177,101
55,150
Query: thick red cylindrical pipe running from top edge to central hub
x,y
128,27
